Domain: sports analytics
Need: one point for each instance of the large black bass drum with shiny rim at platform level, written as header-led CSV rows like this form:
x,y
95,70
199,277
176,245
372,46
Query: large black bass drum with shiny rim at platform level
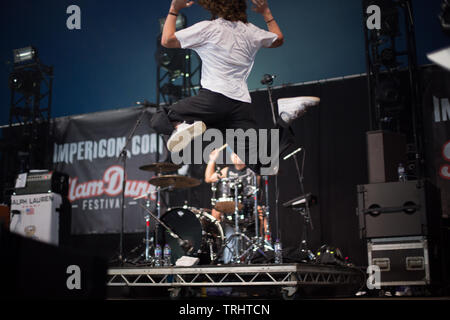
x,y
198,227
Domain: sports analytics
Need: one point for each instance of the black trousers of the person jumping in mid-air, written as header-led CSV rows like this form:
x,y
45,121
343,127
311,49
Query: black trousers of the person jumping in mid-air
x,y
219,112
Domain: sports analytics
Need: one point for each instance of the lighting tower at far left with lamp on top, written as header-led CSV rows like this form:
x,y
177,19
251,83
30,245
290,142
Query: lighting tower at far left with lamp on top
x,y
27,140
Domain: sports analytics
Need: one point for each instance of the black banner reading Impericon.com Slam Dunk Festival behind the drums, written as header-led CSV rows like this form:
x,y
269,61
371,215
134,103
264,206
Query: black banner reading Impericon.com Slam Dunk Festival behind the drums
x,y
87,148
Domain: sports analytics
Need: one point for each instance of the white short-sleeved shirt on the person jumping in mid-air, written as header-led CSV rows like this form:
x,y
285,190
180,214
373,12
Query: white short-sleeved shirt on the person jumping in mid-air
x,y
228,51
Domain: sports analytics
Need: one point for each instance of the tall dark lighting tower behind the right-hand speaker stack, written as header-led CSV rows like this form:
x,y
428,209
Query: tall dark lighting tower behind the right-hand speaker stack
x,y
394,95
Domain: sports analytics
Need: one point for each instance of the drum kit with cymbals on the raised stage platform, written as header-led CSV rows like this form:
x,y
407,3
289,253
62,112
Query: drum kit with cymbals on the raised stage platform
x,y
195,232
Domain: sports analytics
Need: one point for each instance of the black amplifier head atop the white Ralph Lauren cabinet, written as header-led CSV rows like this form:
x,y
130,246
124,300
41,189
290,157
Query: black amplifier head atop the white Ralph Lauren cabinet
x,y
44,182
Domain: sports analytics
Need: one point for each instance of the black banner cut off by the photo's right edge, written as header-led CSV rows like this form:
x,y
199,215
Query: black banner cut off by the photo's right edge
x,y
437,127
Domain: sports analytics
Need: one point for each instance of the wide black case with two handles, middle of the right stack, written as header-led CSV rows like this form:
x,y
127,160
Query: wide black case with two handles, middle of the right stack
x,y
393,209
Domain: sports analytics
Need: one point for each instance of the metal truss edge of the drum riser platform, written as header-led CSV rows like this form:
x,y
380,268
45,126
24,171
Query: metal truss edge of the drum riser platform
x,y
285,275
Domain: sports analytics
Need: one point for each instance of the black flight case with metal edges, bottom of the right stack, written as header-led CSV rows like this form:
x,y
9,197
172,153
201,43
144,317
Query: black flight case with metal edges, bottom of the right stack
x,y
402,261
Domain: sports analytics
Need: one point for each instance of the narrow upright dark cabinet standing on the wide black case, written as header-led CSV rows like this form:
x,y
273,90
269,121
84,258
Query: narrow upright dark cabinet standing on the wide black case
x,y
385,151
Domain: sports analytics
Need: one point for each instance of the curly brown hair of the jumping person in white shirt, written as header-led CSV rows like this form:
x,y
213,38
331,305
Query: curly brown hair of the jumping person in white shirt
x,y
232,10
